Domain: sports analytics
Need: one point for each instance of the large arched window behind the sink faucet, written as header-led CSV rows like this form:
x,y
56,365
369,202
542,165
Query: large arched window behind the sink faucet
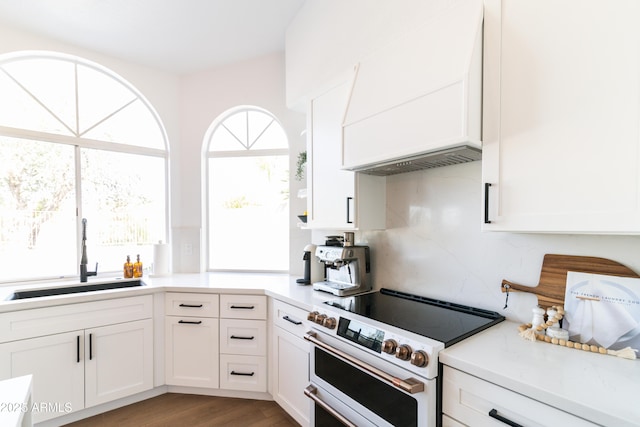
x,y
76,141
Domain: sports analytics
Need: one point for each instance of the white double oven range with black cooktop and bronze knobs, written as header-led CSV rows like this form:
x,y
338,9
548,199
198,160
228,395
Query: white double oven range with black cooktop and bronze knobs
x,y
374,359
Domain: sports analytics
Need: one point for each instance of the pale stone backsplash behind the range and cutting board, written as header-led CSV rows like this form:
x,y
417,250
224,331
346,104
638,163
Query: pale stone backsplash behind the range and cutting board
x,y
433,245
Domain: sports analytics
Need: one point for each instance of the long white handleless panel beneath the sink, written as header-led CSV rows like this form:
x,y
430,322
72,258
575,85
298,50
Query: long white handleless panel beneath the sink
x,y
63,318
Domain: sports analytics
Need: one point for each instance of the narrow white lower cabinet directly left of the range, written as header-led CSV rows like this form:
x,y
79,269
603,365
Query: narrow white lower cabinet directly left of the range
x,y
290,361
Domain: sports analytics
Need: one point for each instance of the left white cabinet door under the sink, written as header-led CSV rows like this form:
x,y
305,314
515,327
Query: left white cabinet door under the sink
x,y
57,365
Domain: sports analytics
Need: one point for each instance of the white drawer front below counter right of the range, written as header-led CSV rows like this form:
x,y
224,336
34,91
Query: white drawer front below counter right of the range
x,y
469,400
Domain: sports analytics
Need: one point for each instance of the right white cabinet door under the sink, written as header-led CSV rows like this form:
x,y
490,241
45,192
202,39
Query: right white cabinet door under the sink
x,y
118,361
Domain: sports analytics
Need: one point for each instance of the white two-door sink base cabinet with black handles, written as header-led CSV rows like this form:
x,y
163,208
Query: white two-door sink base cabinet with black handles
x,y
77,369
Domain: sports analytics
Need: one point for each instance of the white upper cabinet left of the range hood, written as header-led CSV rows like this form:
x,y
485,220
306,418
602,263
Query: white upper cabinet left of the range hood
x,y
338,199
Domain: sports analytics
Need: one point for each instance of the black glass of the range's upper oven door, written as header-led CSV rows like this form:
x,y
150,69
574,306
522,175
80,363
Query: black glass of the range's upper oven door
x,y
389,403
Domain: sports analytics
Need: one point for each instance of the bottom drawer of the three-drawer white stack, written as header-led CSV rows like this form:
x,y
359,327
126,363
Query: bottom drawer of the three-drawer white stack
x,y
248,373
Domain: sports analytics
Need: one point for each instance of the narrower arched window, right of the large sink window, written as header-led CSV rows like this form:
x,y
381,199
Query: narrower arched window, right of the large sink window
x,y
247,180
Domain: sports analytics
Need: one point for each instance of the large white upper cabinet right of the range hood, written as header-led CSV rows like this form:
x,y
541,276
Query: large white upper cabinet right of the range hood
x,y
561,116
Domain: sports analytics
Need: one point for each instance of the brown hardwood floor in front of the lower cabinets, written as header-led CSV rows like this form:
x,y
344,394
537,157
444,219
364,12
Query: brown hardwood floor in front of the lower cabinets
x,y
191,410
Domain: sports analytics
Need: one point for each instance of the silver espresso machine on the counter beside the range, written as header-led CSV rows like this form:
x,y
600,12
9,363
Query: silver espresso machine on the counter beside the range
x,y
347,269
